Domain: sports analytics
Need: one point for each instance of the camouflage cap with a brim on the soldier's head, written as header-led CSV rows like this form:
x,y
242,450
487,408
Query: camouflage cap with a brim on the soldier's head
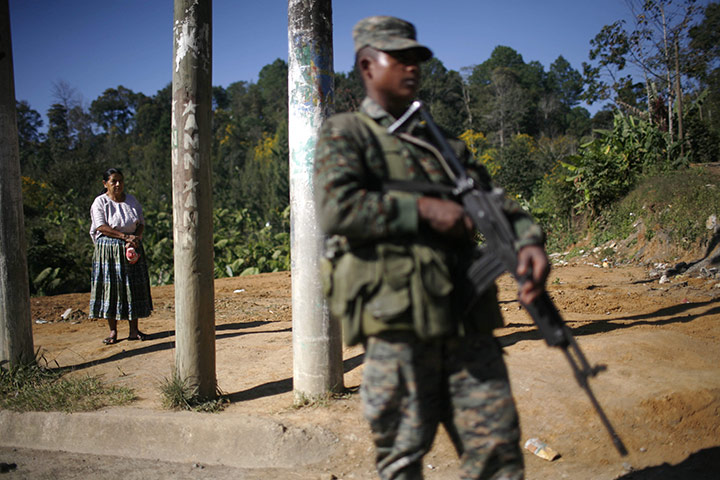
x,y
387,34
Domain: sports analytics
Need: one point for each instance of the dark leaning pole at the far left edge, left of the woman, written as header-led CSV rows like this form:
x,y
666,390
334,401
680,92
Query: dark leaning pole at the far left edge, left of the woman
x,y
16,342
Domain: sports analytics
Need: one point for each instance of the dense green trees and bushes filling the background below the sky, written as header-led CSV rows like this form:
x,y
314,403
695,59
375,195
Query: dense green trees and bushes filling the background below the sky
x,y
521,120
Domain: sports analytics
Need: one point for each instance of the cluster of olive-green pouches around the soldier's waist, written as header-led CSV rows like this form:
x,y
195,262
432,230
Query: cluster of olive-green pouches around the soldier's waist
x,y
389,287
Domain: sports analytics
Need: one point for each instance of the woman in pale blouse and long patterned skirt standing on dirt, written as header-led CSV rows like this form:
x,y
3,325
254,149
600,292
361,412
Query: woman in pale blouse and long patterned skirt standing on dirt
x,y
120,289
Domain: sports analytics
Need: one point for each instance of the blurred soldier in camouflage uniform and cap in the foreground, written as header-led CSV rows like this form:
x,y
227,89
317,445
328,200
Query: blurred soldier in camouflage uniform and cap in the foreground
x,y
395,266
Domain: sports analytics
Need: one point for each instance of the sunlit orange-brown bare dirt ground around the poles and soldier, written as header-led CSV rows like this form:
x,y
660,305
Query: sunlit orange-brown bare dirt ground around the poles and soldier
x,y
661,390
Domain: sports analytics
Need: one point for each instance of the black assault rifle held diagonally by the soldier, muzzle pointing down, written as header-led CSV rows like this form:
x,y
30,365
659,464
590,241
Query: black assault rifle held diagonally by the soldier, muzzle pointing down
x,y
484,207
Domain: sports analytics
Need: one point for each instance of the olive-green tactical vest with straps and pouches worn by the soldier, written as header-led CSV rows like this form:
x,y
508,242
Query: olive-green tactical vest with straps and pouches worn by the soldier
x,y
399,285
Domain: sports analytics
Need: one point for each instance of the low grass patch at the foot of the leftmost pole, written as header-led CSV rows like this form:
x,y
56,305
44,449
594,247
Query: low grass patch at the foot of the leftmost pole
x,y
33,387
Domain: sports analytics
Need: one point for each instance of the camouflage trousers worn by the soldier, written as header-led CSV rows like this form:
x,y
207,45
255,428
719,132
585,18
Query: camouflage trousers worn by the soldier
x,y
409,387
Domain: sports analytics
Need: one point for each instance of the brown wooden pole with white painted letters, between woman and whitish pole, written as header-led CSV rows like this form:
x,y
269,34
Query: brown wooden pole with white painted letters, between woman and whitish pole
x,y
192,196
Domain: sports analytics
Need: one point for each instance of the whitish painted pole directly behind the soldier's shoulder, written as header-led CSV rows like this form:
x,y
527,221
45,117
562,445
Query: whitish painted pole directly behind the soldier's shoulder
x,y
317,347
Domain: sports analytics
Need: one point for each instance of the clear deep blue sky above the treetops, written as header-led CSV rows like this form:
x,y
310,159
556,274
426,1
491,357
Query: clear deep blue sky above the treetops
x,y
97,44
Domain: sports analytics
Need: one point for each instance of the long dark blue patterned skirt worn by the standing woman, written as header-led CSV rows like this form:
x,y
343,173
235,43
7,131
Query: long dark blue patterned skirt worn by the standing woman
x,y
120,290
